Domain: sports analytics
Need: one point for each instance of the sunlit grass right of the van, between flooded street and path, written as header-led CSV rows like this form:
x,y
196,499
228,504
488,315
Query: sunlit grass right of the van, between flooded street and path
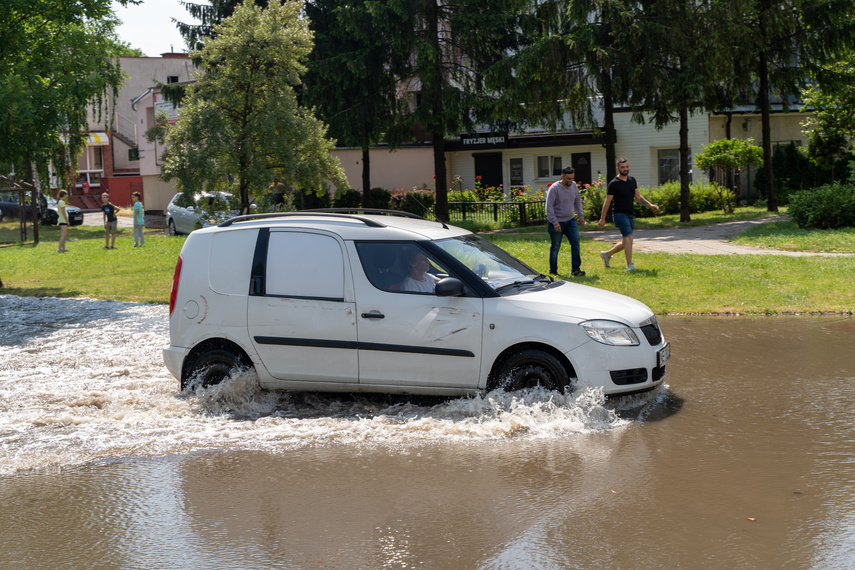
x,y
700,284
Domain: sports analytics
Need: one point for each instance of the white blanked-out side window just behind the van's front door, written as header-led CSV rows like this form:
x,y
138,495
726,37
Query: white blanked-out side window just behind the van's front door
x,y
293,269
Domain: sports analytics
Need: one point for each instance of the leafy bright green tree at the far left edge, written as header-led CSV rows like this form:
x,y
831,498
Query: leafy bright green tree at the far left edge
x,y
56,59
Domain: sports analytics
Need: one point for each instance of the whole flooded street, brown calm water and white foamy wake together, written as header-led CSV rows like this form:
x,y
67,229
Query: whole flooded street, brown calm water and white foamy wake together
x,y
745,459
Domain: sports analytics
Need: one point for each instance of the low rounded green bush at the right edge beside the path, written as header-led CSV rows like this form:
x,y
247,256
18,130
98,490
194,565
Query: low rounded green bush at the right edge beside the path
x,y
828,207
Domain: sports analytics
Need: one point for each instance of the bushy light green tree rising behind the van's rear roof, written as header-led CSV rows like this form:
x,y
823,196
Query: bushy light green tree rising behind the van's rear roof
x,y
241,124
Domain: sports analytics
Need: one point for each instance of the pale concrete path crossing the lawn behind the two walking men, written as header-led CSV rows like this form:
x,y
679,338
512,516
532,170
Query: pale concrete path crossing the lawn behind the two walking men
x,y
712,239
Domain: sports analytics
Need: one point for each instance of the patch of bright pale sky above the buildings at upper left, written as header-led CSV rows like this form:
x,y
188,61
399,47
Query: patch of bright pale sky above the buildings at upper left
x,y
149,26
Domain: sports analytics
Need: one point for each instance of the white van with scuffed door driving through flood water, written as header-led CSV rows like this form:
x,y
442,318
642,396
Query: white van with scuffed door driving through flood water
x,y
320,302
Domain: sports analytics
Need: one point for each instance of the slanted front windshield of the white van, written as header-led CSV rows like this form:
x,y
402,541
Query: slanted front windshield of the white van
x,y
494,265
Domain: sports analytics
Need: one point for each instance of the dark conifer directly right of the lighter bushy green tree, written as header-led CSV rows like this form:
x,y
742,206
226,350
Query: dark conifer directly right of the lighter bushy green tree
x,y
348,81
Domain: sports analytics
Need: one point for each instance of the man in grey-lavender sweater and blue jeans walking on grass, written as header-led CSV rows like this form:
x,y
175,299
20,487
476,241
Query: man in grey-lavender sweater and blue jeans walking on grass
x,y
563,205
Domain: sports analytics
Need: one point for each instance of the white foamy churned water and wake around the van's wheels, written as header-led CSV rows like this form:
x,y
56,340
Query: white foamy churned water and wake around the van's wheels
x,y
83,381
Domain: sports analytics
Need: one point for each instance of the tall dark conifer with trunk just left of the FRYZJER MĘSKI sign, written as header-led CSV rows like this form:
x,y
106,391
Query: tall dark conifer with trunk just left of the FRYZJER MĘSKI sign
x,y
448,46
